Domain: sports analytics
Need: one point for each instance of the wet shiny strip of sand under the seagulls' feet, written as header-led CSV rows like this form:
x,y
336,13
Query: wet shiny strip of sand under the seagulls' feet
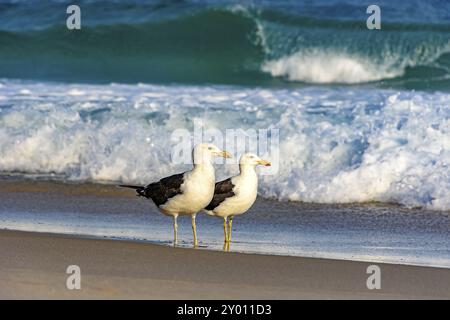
x,y
364,232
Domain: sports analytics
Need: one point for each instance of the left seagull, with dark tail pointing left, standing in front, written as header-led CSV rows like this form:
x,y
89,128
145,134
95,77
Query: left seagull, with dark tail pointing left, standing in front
x,y
185,193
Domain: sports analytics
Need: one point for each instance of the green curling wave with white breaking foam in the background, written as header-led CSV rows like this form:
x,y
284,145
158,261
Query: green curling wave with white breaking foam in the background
x,y
234,45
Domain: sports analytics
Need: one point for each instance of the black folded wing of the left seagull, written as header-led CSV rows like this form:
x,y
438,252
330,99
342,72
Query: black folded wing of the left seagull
x,y
160,192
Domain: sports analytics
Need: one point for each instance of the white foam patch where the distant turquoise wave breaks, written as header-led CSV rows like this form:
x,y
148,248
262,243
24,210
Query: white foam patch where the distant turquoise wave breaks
x,y
324,67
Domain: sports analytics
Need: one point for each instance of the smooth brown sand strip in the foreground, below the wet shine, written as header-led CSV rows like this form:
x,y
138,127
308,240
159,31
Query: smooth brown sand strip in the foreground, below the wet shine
x,y
33,266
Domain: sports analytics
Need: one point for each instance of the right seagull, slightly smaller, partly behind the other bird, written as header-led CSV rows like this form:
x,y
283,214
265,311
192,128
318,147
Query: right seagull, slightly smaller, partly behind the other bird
x,y
235,195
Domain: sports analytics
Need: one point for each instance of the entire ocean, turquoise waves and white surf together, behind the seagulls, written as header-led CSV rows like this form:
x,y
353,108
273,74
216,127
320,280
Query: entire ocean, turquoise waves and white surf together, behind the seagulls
x,y
363,115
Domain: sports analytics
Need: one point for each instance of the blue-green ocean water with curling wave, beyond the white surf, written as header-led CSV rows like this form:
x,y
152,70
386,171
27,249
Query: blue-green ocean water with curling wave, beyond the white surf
x,y
264,43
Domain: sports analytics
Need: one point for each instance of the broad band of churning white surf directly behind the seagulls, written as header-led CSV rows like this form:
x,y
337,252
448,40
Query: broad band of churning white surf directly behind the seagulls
x,y
336,145
